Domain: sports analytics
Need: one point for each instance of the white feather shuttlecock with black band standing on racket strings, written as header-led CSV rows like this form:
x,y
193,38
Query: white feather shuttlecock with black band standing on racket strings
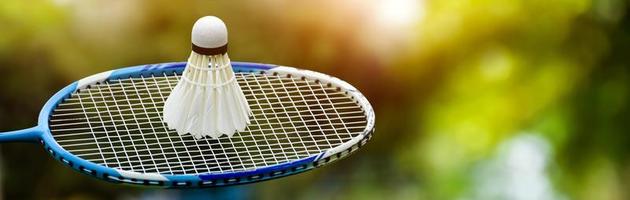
x,y
207,100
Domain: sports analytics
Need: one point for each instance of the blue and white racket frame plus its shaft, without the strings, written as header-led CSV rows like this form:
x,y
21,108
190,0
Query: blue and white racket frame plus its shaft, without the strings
x,y
42,134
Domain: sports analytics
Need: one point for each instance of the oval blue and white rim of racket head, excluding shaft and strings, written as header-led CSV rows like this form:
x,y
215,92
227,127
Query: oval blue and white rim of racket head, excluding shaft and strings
x,y
276,170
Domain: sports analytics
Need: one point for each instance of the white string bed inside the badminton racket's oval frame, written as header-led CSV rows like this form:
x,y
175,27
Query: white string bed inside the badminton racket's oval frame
x,y
119,124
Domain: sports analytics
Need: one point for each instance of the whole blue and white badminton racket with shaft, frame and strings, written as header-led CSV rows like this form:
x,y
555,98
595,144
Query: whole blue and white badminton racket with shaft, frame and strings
x,y
109,126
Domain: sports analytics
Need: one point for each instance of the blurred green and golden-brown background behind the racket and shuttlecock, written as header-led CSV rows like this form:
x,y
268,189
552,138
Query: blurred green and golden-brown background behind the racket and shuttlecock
x,y
474,99
